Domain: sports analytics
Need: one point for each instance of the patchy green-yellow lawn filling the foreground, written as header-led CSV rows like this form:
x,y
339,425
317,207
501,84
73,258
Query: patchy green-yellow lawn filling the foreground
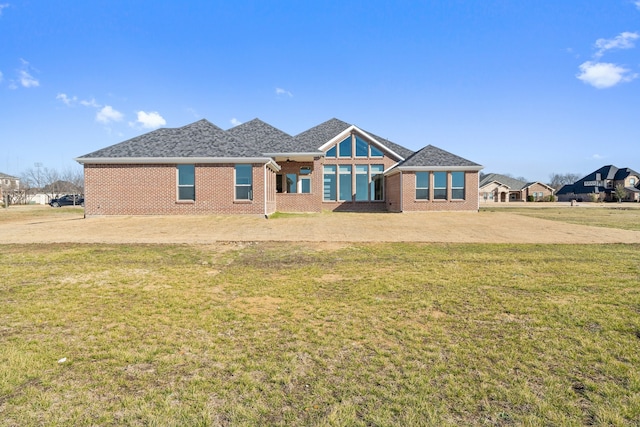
x,y
286,334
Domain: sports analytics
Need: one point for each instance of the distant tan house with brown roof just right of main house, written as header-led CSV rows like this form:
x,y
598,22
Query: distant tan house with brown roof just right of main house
x,y
501,189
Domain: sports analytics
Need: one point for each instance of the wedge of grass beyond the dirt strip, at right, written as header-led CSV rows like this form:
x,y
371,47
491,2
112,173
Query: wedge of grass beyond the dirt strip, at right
x,y
625,216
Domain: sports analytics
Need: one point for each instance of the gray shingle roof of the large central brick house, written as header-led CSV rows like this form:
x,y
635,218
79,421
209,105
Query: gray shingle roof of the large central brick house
x,y
256,139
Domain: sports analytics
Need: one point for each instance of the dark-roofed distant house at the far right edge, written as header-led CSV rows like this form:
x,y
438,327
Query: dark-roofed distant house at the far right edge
x,y
601,184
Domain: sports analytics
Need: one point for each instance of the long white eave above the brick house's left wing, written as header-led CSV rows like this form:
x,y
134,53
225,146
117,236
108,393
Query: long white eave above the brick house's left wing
x,y
175,160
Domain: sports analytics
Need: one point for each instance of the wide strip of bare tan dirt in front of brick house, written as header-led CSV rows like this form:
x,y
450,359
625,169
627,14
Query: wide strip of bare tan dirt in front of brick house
x,y
330,229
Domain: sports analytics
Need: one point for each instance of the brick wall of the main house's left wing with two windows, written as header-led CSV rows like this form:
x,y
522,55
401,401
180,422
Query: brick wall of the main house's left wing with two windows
x,y
152,190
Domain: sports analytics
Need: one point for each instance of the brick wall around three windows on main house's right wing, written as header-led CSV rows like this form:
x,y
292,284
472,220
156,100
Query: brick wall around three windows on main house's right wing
x,y
410,204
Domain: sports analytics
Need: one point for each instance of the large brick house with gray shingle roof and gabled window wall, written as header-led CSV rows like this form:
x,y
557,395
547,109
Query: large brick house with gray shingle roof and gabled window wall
x,y
255,168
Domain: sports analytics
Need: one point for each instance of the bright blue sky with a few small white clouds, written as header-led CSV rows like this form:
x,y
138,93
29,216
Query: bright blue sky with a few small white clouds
x,y
526,87
